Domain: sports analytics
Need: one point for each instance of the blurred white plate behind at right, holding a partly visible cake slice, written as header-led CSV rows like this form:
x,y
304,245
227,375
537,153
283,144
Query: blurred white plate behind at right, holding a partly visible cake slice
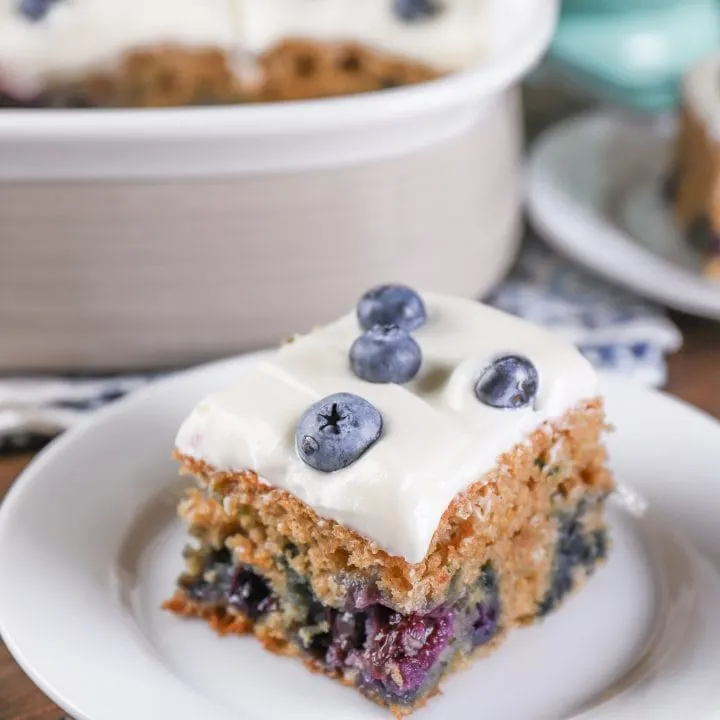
x,y
594,191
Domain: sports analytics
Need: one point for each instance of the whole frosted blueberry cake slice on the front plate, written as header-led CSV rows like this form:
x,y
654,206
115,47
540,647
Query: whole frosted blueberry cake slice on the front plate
x,y
386,497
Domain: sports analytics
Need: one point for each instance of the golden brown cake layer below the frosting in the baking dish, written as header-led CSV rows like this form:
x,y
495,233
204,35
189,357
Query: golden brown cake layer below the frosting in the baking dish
x,y
292,70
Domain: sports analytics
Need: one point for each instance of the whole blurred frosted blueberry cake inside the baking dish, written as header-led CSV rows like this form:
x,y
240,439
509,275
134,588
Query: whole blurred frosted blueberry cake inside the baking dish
x,y
145,53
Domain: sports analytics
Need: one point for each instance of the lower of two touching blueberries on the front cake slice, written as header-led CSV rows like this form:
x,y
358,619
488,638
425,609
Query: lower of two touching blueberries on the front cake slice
x,y
385,354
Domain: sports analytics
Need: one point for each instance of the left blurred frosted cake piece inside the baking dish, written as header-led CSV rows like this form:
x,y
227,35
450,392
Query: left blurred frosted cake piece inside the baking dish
x,y
105,52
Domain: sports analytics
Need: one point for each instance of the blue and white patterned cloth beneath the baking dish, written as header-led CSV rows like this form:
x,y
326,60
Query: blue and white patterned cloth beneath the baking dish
x,y
618,332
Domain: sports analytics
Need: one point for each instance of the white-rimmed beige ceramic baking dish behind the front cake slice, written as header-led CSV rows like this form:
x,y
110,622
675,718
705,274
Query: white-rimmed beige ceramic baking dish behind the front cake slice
x,y
148,238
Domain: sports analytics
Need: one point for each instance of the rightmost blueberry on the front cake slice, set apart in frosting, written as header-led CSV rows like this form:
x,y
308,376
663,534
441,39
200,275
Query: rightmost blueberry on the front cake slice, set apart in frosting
x,y
510,382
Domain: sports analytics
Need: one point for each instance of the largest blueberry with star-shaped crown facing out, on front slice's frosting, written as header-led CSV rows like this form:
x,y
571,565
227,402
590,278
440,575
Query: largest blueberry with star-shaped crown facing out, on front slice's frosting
x,y
336,431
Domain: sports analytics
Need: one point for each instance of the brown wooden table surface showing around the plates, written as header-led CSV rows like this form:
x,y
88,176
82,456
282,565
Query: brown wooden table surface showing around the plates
x,y
694,377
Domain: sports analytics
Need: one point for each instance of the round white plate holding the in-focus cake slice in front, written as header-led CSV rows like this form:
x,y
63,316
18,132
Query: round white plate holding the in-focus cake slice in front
x,y
89,548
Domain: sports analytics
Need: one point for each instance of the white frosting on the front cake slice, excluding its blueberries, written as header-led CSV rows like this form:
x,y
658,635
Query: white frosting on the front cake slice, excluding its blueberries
x,y
438,438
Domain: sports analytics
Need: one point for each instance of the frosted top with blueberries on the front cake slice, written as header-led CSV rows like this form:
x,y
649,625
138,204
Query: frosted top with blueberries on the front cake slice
x,y
387,458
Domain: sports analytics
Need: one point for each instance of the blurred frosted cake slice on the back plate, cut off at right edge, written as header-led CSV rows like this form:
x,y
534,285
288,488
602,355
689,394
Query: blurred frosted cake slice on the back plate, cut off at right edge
x,y
694,186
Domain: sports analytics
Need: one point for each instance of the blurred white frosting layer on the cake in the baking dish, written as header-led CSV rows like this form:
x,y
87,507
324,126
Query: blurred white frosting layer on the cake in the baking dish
x,y
76,36
